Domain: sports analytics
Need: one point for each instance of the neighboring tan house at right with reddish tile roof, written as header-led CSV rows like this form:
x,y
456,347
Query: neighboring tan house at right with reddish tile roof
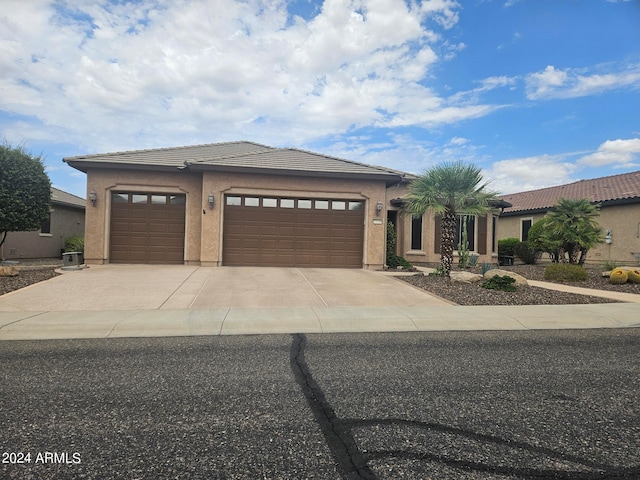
x,y
618,197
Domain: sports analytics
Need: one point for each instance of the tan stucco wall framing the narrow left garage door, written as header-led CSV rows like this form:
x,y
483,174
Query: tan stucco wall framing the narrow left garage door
x,y
104,181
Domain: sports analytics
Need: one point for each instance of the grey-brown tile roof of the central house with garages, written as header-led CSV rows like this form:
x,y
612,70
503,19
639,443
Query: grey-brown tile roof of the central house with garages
x,y
237,156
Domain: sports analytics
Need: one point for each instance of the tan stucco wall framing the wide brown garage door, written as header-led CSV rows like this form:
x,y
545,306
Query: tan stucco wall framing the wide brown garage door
x,y
221,184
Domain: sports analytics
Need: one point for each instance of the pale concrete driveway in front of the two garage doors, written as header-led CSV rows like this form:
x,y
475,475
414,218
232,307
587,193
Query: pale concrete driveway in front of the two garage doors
x,y
144,287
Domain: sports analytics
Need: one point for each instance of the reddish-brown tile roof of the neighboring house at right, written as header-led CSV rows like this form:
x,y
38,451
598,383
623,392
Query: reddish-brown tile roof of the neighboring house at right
x,y
598,190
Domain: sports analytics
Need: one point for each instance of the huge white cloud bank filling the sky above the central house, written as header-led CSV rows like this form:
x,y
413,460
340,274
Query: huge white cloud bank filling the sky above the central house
x,y
157,72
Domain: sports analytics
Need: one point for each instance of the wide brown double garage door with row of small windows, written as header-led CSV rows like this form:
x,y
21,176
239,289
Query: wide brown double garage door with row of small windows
x,y
292,232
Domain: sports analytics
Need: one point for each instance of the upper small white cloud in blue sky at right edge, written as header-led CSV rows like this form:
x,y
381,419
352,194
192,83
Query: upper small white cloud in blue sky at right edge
x,y
570,83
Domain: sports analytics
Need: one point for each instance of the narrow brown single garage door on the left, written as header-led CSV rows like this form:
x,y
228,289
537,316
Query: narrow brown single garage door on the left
x,y
147,228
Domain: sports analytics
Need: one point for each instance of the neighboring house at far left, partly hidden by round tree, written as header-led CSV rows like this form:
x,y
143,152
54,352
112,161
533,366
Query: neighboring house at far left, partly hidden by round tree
x,y
66,219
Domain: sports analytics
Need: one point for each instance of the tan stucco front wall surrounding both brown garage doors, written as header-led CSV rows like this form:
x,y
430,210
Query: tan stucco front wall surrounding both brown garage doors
x,y
203,238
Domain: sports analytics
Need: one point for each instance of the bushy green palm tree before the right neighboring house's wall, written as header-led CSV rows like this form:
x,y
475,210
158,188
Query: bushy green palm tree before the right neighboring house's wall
x,y
568,231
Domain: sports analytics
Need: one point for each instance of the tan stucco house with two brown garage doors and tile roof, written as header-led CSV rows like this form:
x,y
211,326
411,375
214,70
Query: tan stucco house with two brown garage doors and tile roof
x,y
242,203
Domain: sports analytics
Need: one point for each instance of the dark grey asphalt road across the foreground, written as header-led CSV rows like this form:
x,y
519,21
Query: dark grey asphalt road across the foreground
x,y
474,405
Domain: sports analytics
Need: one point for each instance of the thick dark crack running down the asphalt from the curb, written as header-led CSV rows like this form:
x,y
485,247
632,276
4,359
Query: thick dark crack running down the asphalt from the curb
x,y
350,461
